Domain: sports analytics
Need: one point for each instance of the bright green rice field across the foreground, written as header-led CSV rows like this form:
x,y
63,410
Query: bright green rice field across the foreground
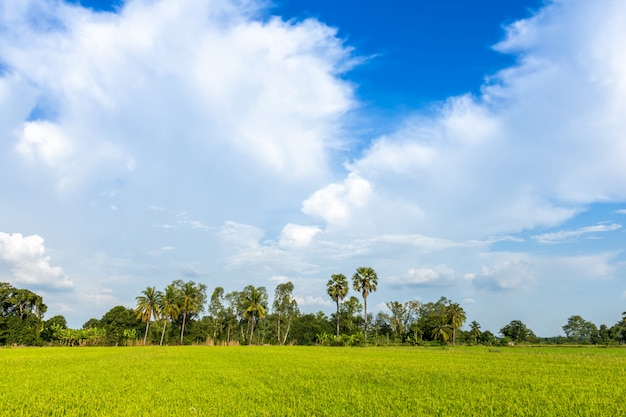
x,y
312,381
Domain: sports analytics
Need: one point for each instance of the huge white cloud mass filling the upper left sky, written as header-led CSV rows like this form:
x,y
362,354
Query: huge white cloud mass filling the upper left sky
x,y
94,83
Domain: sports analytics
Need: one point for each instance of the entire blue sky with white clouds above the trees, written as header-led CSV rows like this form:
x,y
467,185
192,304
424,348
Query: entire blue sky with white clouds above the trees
x,y
475,152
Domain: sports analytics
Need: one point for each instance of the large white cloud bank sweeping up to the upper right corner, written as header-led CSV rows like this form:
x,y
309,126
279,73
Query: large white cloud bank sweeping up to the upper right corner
x,y
541,142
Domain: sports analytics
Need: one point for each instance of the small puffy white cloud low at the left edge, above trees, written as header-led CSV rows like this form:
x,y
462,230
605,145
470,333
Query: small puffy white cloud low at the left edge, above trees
x,y
26,258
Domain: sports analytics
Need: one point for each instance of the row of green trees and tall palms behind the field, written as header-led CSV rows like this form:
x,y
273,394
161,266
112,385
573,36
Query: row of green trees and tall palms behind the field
x,y
184,313
